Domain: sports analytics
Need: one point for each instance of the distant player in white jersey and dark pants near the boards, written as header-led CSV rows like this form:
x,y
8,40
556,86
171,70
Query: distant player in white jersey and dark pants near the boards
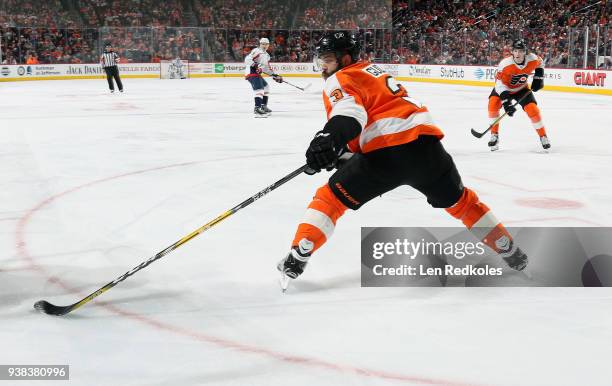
x,y
258,62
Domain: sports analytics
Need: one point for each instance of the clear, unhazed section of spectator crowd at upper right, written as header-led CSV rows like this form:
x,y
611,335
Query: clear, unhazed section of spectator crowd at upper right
x,y
478,32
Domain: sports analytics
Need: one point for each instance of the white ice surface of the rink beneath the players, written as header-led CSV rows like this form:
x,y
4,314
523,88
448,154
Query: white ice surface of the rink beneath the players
x,y
94,183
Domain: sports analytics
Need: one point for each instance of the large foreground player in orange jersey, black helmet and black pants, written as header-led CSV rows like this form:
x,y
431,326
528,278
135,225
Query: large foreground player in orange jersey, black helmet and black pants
x,y
393,142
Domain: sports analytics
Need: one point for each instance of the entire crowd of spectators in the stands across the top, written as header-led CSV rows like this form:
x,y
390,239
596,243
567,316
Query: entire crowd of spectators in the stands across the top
x,y
398,31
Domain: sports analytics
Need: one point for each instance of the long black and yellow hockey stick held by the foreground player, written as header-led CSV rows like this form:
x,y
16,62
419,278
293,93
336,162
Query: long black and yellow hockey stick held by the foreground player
x,y
51,309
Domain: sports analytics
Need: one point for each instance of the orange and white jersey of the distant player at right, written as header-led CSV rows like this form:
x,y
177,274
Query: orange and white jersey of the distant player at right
x,y
513,77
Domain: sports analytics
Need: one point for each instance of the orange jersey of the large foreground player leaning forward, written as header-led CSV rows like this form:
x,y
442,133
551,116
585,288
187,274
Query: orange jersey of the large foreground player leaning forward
x,y
388,116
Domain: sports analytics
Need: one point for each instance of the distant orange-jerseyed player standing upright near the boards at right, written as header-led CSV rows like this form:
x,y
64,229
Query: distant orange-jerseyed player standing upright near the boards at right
x,y
511,84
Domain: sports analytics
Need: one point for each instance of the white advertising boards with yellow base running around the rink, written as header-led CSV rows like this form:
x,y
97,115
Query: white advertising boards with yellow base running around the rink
x,y
564,80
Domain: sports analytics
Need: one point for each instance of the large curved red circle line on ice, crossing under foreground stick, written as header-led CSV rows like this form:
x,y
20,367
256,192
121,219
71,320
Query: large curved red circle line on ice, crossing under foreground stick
x,y
21,246
